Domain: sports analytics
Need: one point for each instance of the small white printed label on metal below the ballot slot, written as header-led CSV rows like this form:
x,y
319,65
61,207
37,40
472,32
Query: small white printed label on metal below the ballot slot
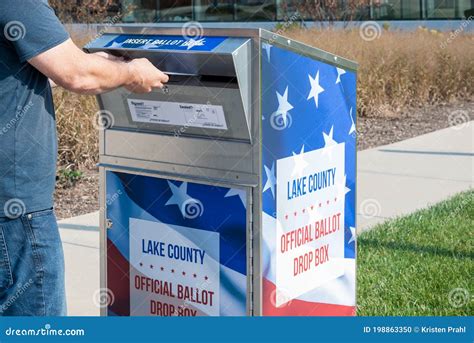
x,y
178,114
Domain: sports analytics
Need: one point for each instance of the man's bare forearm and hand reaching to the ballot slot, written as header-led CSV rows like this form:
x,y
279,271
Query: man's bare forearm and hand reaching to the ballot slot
x,y
71,68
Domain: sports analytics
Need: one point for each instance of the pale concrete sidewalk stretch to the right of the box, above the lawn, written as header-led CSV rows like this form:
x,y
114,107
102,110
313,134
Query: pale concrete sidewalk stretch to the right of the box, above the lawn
x,y
400,178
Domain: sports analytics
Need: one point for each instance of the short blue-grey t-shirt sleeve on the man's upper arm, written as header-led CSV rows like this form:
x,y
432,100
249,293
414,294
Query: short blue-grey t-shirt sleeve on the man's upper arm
x,y
31,26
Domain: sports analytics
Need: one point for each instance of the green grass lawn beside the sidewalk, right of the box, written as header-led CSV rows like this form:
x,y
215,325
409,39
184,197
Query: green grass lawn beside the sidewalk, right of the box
x,y
411,266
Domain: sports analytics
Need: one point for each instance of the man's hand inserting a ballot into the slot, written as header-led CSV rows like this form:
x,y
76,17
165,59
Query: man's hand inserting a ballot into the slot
x,y
146,77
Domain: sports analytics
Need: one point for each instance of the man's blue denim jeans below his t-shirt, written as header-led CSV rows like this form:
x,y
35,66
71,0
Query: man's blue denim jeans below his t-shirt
x,y
31,266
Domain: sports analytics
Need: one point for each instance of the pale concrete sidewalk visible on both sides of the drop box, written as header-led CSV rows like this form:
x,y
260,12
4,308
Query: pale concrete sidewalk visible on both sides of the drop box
x,y
393,180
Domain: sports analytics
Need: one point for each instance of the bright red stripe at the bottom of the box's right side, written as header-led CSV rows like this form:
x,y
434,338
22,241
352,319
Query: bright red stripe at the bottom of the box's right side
x,y
300,307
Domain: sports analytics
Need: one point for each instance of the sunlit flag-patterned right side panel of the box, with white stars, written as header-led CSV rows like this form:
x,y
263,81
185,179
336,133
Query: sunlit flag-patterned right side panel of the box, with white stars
x,y
309,169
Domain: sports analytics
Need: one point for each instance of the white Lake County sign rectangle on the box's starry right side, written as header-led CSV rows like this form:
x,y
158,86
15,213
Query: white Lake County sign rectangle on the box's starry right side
x,y
310,221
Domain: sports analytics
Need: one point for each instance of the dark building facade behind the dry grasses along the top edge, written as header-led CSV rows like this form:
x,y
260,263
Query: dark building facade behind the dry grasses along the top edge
x,y
276,10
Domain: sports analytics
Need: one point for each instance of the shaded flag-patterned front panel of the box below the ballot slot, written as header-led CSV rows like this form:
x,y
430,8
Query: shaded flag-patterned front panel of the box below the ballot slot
x,y
175,248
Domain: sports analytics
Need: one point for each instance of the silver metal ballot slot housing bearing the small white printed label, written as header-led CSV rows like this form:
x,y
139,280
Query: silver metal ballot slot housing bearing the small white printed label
x,y
207,95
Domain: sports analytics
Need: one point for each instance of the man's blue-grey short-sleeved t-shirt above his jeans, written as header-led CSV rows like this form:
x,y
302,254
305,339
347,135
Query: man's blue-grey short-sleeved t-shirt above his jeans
x,y
28,144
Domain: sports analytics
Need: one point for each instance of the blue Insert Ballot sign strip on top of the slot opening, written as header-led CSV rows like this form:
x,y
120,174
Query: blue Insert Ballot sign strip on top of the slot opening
x,y
152,42
